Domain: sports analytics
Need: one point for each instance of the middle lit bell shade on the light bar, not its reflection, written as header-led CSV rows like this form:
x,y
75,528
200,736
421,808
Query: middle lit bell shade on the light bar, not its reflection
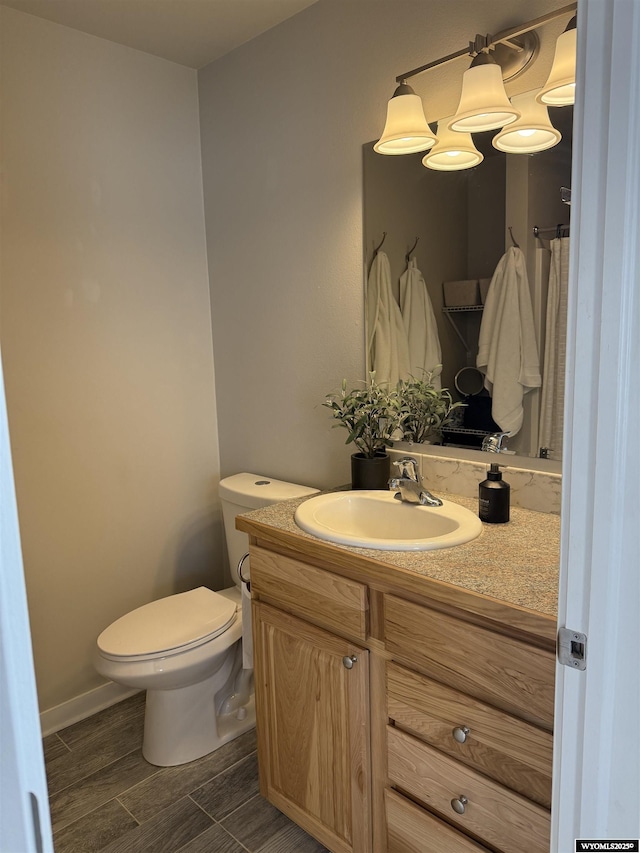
x,y
483,103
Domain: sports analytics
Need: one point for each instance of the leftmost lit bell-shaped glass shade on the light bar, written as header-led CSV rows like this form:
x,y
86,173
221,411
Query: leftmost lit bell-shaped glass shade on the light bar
x,y
406,129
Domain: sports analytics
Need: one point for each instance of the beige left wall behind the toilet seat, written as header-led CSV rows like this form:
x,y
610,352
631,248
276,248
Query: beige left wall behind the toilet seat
x,y
106,337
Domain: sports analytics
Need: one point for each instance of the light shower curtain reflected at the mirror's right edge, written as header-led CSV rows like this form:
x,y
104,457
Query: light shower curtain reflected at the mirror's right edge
x,y
552,397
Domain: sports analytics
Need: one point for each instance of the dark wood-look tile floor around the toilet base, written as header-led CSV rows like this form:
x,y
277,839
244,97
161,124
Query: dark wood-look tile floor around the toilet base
x,y
105,797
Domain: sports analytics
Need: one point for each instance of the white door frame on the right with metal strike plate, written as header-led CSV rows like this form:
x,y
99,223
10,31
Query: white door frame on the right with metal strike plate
x,y
596,789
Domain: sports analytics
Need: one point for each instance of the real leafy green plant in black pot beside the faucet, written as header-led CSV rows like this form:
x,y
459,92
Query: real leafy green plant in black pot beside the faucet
x,y
372,415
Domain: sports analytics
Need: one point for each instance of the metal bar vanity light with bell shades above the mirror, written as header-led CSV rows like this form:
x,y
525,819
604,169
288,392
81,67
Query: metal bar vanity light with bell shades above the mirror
x,y
484,104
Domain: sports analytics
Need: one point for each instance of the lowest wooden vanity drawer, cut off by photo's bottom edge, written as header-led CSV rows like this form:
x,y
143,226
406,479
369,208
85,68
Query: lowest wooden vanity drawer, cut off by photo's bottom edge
x,y
411,829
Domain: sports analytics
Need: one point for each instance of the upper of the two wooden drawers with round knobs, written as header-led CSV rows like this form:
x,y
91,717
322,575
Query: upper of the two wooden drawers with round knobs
x,y
503,747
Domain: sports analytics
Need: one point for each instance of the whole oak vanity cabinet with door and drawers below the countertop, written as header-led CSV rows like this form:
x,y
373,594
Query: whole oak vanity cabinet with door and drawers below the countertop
x,y
397,715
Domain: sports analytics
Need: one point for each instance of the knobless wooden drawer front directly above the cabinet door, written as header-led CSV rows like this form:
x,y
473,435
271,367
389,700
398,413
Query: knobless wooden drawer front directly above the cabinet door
x,y
320,596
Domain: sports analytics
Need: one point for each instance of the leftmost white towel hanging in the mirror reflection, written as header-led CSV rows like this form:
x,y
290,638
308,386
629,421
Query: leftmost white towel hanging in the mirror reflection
x,y
387,345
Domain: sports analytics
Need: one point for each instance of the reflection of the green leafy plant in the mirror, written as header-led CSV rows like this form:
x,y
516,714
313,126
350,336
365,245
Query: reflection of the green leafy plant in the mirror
x,y
424,409
